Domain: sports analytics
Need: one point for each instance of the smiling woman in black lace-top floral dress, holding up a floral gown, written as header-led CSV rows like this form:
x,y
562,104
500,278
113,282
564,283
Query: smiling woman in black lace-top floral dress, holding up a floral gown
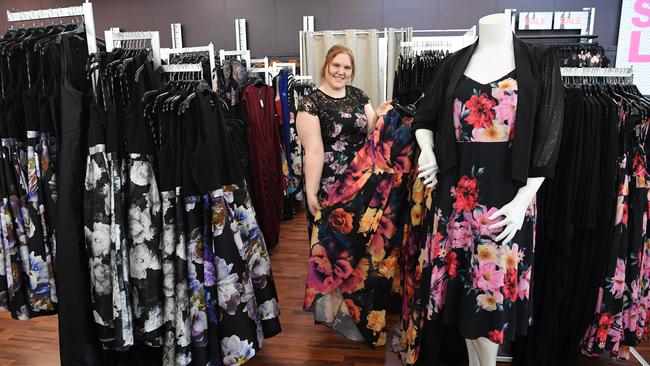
x,y
353,164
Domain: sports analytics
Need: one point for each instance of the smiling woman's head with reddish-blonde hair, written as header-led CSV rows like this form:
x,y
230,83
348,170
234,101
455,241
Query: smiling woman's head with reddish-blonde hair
x,y
338,68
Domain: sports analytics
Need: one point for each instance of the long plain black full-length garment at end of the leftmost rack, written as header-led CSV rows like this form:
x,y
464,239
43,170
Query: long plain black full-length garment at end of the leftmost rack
x,y
76,330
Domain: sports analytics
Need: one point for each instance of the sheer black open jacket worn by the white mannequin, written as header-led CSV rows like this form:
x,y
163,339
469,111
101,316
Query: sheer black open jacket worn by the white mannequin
x,y
539,110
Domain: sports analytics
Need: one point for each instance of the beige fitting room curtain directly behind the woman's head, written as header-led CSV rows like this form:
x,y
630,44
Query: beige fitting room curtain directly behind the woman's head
x,y
364,46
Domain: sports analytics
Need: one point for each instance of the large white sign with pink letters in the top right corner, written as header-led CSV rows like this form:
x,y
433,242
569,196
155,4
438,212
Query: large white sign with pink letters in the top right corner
x,y
634,41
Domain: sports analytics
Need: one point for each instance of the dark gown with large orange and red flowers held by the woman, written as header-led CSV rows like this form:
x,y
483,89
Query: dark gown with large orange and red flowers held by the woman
x,y
355,239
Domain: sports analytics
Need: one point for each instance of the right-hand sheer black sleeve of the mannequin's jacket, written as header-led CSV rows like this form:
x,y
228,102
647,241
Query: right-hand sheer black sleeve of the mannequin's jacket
x,y
549,120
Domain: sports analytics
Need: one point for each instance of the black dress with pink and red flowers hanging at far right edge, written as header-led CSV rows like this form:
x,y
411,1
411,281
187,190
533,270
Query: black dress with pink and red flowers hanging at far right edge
x,y
622,308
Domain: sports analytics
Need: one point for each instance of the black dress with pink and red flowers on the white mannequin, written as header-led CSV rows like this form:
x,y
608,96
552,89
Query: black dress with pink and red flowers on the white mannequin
x,y
482,285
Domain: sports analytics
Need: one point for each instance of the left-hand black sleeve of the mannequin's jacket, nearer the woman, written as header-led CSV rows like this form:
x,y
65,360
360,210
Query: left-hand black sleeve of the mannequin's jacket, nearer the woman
x,y
426,115
